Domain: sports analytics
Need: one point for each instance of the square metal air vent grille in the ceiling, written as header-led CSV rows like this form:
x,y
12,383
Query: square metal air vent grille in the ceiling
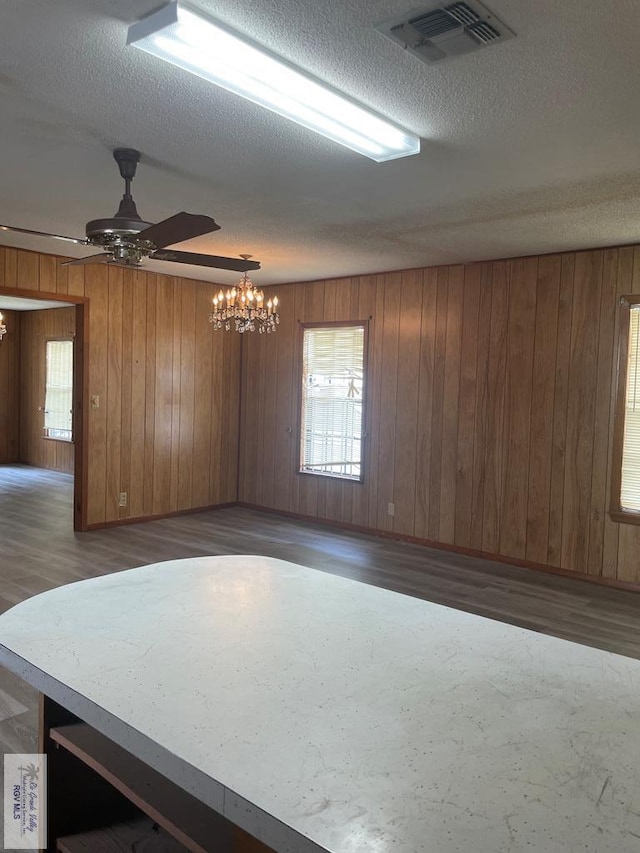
x,y
441,31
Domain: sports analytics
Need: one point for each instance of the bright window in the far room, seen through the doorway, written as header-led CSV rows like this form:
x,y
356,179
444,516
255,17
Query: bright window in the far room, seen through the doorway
x,y
58,400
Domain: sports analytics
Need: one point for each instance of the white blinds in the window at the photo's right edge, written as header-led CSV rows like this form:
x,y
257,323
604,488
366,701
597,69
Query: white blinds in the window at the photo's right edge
x,y
630,482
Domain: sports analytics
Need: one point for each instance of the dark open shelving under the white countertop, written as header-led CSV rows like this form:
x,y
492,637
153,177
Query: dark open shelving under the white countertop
x,y
102,799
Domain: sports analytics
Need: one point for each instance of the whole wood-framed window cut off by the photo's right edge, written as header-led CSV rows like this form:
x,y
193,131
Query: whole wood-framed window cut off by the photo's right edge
x,y
626,485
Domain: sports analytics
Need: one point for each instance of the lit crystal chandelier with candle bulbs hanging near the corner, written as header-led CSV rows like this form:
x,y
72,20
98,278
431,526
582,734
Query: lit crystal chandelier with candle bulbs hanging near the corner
x,y
243,308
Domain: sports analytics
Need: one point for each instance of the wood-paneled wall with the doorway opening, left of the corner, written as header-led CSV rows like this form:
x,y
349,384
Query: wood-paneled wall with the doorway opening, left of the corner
x,y
167,386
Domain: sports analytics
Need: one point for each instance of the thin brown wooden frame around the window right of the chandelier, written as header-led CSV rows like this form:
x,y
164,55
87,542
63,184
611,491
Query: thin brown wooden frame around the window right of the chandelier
x,y
364,441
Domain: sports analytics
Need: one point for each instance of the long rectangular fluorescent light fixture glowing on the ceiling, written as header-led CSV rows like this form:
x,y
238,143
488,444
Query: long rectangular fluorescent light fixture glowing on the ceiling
x,y
212,51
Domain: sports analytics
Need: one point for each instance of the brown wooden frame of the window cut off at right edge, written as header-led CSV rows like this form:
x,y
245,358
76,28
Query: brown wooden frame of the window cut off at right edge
x,y
616,511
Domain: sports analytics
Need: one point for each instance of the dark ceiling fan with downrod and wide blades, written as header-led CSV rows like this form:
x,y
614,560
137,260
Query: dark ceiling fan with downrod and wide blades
x,y
125,239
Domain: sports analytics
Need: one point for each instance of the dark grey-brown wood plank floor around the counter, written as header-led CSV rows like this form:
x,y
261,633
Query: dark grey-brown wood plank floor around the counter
x,y
39,551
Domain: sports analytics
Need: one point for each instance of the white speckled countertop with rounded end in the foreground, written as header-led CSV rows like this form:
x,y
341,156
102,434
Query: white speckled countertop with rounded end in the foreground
x,y
322,714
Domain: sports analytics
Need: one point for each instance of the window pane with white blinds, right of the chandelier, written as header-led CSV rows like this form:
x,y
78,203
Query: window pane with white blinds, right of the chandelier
x,y
333,368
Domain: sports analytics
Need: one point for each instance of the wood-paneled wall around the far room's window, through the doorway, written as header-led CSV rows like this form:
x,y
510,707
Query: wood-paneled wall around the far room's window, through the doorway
x,y
36,328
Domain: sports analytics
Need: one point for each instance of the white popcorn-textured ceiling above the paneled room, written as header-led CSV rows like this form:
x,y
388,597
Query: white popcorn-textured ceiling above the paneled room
x,y
529,146
